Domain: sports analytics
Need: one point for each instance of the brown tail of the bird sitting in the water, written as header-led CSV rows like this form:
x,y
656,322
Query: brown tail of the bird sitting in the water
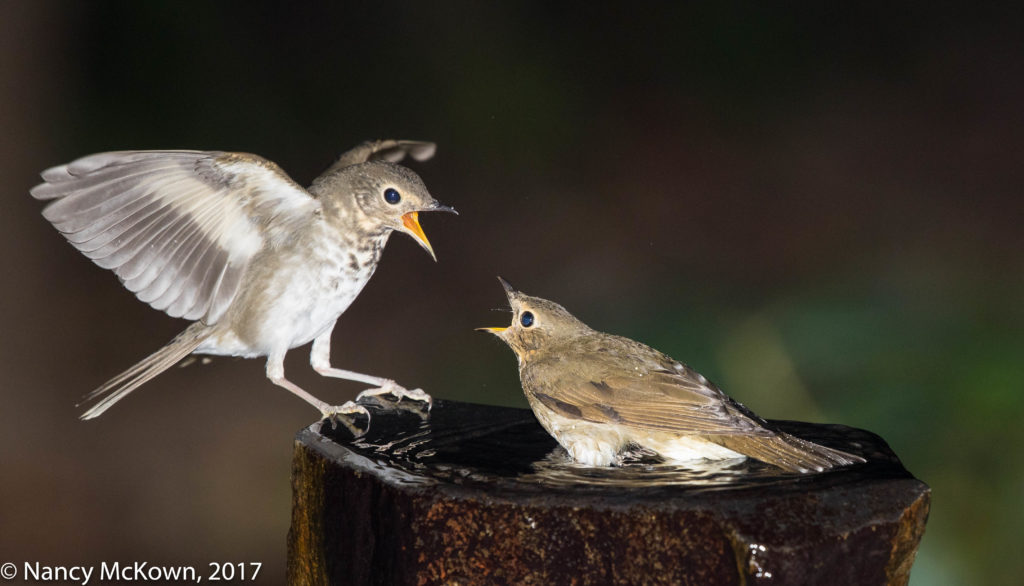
x,y
788,452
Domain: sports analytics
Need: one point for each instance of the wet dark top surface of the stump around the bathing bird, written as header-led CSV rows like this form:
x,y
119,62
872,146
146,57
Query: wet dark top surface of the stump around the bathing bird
x,y
467,450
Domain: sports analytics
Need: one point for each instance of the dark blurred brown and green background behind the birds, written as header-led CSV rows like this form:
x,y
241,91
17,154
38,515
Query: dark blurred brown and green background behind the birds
x,y
819,208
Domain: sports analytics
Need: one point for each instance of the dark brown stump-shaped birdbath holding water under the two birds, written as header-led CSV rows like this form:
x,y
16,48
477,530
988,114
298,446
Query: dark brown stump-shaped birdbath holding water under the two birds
x,y
483,495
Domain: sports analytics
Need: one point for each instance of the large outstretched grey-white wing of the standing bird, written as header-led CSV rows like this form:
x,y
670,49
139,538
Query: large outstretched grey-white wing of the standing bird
x,y
179,228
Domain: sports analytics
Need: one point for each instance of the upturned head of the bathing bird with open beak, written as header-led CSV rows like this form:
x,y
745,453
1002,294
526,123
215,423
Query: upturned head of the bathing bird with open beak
x,y
536,323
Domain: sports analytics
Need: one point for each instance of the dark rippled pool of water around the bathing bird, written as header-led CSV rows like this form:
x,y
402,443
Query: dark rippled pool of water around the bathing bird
x,y
505,449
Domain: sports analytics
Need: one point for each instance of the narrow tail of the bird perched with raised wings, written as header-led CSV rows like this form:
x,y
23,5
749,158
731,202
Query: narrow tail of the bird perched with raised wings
x,y
119,387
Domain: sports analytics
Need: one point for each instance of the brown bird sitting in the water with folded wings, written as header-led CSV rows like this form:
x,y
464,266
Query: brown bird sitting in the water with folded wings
x,y
602,396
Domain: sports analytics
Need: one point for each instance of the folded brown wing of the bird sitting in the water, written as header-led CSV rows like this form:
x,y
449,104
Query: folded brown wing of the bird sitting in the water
x,y
643,390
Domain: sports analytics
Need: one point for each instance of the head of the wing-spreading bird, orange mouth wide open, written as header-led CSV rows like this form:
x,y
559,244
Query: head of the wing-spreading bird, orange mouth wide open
x,y
388,197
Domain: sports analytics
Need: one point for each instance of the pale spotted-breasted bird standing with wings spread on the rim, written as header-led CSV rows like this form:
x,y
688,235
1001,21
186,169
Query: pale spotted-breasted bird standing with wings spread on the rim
x,y
229,241
